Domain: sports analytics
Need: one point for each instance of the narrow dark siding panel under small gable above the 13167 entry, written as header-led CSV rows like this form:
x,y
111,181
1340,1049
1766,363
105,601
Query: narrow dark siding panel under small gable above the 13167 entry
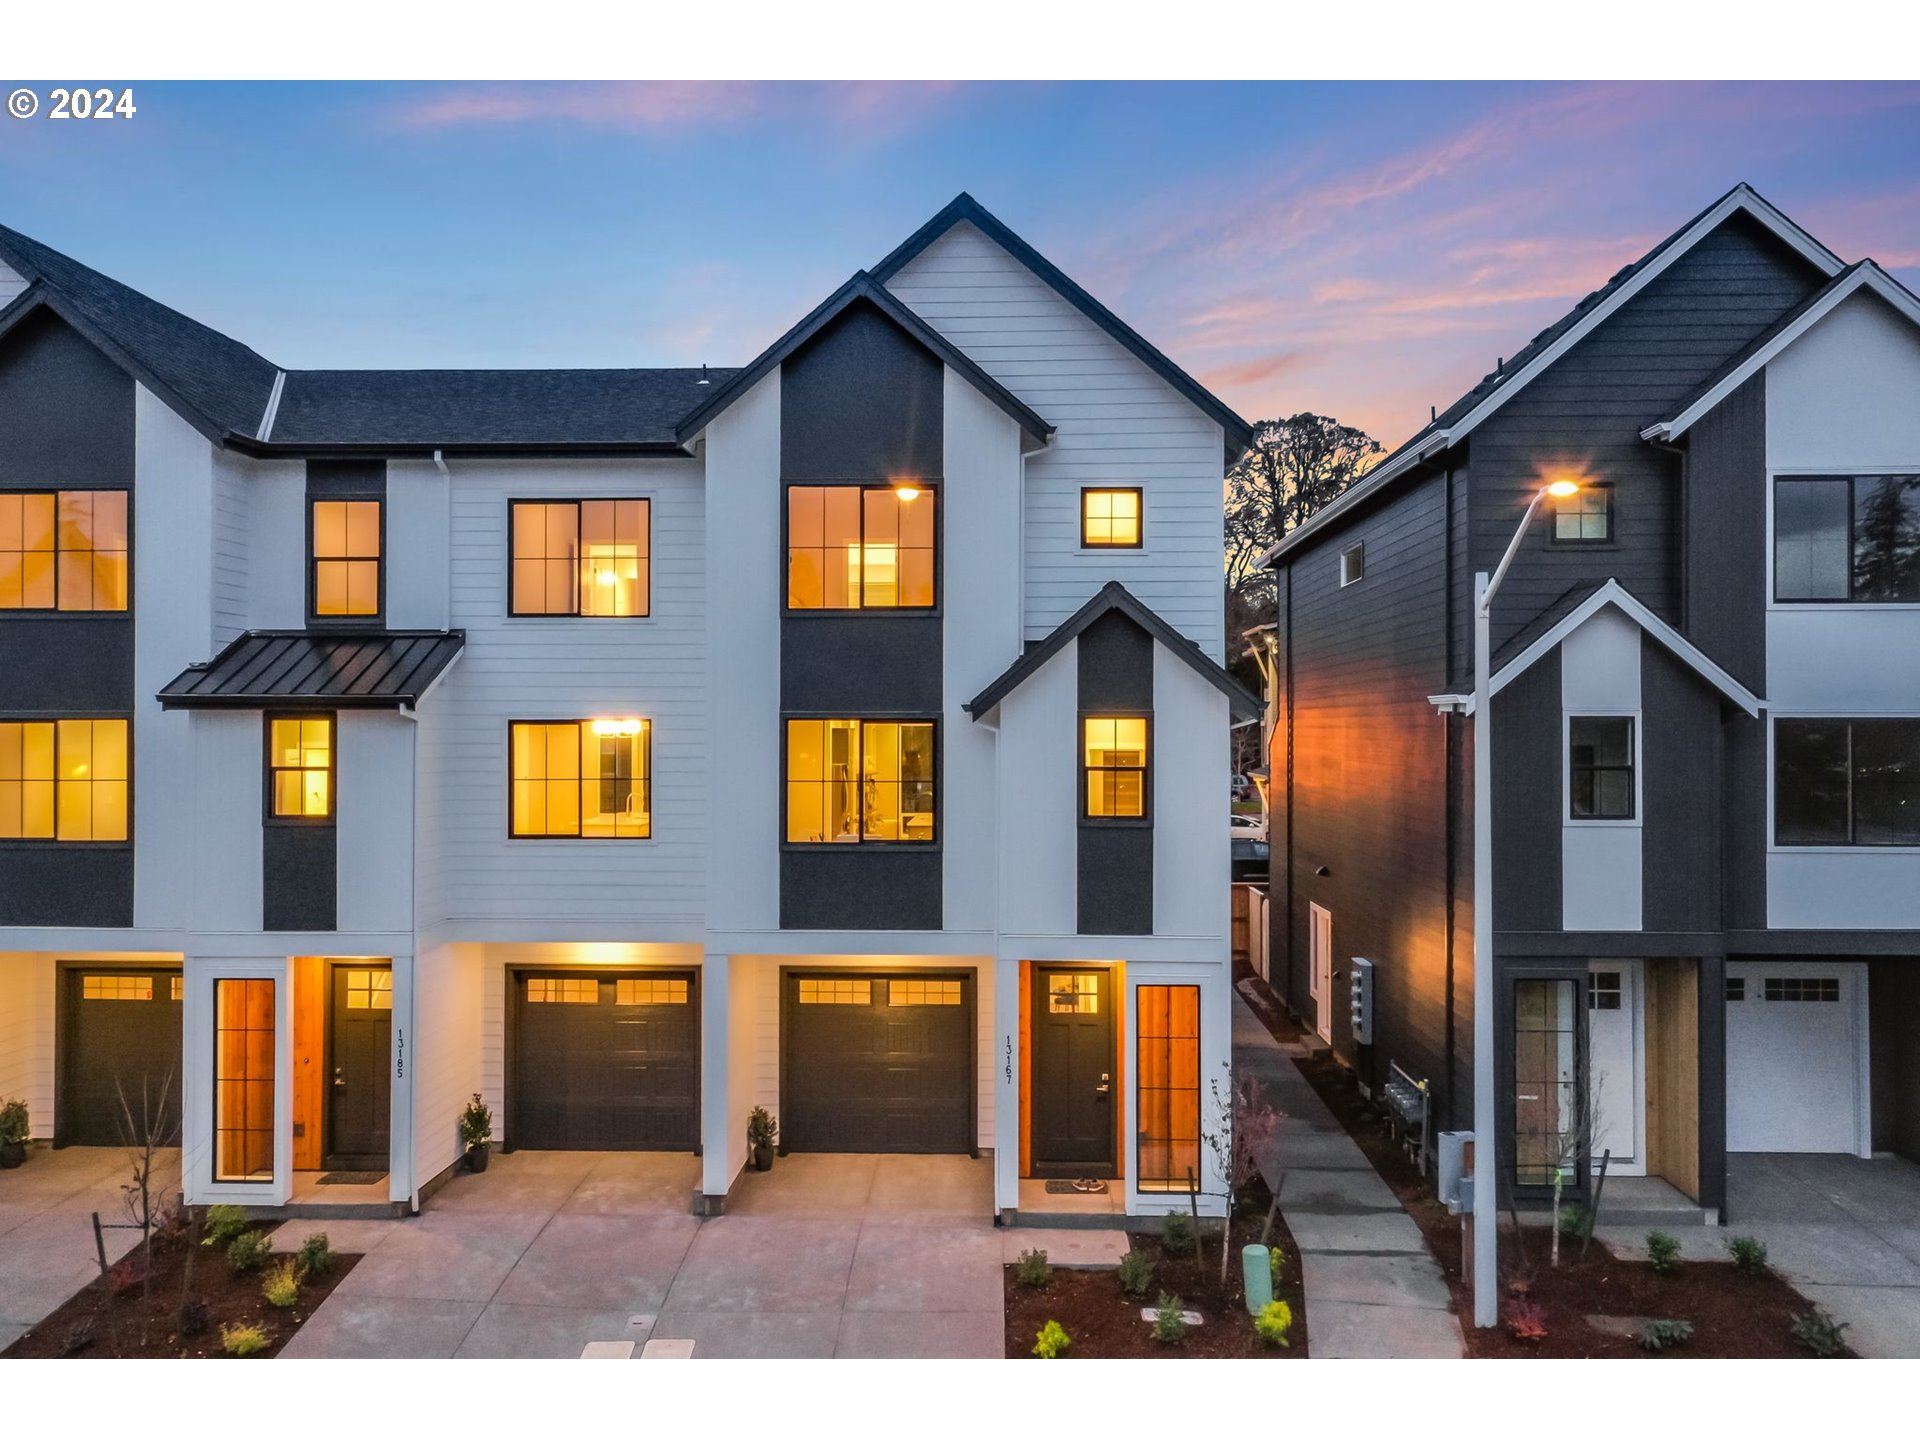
x,y
1116,857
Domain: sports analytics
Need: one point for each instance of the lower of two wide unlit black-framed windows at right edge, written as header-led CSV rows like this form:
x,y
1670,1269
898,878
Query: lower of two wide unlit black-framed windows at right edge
x,y
1848,782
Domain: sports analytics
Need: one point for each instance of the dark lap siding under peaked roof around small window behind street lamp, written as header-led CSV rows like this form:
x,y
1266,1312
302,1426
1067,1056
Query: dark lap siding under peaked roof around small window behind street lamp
x,y
1589,412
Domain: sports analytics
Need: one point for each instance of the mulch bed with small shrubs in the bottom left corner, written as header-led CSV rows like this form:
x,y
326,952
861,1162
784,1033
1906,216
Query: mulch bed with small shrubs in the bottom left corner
x,y
124,1326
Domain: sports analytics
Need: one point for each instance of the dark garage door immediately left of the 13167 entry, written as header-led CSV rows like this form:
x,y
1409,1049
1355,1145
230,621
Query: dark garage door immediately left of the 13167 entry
x,y
878,1063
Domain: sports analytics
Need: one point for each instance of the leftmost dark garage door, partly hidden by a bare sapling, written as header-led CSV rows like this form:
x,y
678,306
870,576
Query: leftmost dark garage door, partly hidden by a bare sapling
x,y
122,1038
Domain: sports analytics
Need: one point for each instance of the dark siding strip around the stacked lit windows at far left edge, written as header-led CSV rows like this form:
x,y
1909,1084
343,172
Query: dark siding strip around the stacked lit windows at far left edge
x,y
66,423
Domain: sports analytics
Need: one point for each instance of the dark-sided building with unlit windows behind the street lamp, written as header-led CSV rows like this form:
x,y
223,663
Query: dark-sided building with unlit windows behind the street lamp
x,y
1706,723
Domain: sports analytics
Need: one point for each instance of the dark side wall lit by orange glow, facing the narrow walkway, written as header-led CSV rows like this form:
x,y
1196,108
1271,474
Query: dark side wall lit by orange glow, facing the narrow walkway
x,y
1368,798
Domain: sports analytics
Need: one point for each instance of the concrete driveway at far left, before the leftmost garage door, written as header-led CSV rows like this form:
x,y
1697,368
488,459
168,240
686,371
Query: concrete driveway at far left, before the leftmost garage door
x,y
47,1230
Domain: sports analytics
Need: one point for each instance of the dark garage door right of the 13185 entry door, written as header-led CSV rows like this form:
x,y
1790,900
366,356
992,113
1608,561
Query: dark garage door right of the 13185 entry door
x,y
606,1063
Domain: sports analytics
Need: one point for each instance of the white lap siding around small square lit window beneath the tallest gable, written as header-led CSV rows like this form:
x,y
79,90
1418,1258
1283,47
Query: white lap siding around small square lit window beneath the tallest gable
x,y
1116,423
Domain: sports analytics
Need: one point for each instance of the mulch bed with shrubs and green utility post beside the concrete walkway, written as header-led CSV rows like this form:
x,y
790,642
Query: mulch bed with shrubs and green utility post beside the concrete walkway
x,y
1105,1322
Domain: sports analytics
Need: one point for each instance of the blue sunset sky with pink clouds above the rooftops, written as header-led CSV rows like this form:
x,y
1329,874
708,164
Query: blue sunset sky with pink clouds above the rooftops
x,y
1362,251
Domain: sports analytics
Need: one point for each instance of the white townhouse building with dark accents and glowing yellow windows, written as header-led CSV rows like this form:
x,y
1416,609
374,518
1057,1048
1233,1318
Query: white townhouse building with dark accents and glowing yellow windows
x,y
844,734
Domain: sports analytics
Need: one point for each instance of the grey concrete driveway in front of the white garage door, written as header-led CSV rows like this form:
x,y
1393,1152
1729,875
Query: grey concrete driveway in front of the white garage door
x,y
1844,1232
